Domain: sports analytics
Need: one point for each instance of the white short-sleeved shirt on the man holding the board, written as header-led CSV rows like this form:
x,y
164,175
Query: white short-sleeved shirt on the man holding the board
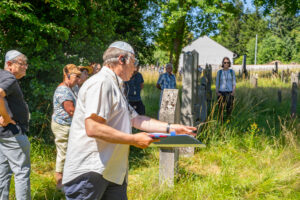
x,y
100,95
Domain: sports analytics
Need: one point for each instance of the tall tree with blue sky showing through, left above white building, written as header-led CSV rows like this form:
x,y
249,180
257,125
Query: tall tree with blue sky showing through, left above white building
x,y
181,17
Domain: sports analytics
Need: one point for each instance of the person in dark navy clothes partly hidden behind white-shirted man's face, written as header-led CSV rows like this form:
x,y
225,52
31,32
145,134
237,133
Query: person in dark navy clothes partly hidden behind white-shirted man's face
x,y
134,87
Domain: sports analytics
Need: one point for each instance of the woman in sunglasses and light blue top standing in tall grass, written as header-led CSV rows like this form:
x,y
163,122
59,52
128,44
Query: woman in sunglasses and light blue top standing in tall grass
x,y
225,88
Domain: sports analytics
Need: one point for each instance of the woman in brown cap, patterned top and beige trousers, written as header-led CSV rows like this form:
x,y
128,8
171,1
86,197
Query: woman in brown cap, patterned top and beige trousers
x,y
64,101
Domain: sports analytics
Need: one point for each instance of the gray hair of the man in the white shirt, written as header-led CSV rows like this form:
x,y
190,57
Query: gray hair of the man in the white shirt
x,y
111,55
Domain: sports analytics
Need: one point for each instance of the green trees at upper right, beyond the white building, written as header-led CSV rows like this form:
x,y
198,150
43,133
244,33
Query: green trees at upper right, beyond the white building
x,y
277,36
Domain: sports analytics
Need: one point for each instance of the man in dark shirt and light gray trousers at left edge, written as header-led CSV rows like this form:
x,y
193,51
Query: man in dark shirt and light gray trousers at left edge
x,y
14,124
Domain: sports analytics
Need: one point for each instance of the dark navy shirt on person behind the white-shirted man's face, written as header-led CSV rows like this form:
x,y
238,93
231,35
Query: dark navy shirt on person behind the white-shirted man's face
x,y
134,87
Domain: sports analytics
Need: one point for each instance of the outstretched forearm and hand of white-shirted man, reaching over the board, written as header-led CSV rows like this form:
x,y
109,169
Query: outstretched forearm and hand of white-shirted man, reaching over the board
x,y
152,125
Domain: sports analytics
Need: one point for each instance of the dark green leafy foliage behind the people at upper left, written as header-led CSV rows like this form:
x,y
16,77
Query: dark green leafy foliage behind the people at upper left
x,y
54,33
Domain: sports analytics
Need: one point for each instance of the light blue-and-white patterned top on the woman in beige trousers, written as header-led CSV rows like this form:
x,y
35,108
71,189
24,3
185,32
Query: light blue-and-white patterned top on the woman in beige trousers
x,y
61,94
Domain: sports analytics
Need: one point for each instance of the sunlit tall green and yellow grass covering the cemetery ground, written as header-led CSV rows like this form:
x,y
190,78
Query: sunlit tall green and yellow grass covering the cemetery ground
x,y
254,156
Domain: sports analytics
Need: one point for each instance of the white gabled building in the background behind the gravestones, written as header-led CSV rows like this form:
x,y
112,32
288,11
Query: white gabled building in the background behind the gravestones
x,y
210,51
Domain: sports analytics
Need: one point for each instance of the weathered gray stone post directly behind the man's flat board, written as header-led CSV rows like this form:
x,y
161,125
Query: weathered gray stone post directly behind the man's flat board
x,y
168,157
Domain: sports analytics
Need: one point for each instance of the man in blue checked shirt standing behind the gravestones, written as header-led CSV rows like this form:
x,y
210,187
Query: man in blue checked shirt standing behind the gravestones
x,y
166,81
